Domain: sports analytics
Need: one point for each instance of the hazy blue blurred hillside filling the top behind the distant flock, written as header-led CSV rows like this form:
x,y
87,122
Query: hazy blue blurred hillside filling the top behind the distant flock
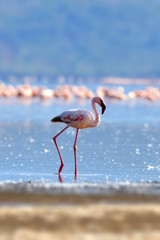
x,y
80,38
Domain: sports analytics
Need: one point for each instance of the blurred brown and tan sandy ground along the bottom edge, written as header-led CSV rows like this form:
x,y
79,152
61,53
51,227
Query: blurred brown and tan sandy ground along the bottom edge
x,y
42,216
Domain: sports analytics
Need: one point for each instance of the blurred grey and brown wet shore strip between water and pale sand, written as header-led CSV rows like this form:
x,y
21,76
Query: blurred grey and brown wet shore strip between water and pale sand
x,y
45,193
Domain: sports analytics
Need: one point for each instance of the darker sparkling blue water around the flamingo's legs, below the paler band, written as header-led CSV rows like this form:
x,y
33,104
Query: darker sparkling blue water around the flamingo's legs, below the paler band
x,y
110,151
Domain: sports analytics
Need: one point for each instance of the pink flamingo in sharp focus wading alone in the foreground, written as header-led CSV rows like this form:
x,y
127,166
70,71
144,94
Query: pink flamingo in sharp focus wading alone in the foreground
x,y
78,119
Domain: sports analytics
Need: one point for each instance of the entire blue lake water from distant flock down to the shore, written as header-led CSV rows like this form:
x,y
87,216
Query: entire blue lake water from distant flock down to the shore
x,y
125,147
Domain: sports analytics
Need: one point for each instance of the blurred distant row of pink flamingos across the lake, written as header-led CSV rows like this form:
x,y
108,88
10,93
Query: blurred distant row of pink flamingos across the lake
x,y
68,92
